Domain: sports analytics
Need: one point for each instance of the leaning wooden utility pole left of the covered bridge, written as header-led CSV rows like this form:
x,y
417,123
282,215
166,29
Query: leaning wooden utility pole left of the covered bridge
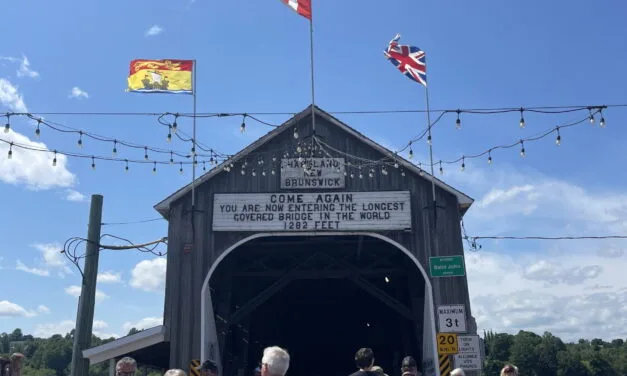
x,y
87,299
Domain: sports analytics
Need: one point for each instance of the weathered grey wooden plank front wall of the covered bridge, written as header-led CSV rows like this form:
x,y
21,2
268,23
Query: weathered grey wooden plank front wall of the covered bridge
x,y
186,272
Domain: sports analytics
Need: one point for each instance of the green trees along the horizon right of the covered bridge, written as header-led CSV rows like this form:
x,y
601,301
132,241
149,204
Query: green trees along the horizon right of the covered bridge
x,y
547,355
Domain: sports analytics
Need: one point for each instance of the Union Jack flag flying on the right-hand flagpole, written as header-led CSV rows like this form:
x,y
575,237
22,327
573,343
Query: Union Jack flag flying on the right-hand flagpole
x,y
409,60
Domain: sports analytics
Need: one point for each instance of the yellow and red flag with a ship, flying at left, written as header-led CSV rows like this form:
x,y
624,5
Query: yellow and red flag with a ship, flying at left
x,y
161,76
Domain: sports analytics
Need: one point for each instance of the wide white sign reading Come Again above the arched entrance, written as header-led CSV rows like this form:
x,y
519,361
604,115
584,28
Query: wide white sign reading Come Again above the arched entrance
x,y
346,211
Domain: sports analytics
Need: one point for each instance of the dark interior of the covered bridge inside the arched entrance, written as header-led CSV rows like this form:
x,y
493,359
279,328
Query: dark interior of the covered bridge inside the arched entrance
x,y
322,298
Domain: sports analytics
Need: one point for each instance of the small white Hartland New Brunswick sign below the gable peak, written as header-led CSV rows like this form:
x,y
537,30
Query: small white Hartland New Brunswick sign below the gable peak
x,y
307,173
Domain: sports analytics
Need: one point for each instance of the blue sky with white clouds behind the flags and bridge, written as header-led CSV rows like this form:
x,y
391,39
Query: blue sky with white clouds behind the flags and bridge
x,y
253,57
